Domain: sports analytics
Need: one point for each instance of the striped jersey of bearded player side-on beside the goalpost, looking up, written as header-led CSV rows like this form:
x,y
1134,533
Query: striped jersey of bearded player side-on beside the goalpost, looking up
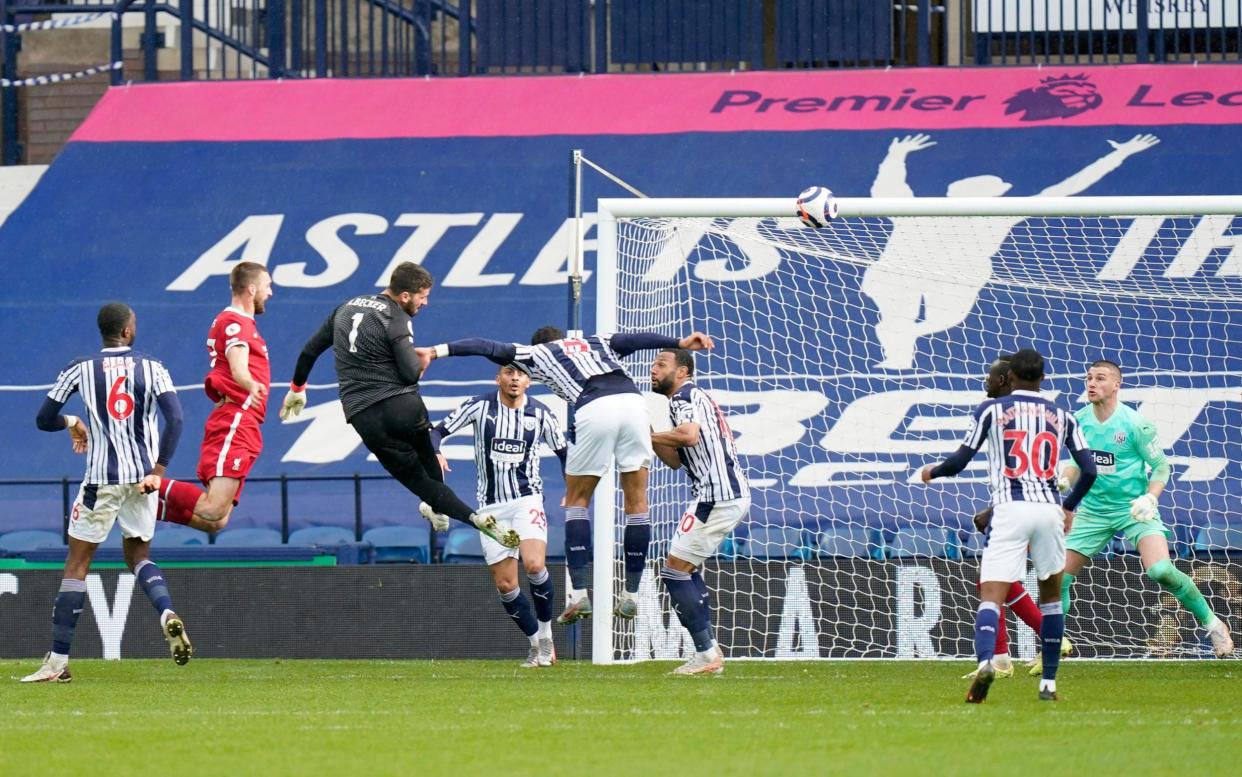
x,y
712,464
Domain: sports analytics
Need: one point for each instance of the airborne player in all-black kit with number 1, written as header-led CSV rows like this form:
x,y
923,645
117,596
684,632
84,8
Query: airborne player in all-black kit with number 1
x,y
378,371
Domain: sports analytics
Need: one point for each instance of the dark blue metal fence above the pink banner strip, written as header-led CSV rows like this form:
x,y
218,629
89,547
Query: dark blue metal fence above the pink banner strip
x,y
259,39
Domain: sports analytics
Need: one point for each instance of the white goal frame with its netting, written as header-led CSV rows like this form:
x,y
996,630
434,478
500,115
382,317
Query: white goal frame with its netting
x,y
850,357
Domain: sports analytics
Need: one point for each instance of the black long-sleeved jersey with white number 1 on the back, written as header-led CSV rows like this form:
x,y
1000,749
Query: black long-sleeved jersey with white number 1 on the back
x,y
372,339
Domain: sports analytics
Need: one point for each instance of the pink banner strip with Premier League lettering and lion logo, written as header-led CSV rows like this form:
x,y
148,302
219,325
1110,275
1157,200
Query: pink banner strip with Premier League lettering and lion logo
x,y
644,105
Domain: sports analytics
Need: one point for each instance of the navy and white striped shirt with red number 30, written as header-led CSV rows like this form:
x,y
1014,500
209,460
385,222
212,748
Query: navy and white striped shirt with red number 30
x,y
1025,435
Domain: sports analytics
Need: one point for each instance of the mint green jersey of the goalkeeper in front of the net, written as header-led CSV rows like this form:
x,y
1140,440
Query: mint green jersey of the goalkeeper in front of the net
x,y
1125,447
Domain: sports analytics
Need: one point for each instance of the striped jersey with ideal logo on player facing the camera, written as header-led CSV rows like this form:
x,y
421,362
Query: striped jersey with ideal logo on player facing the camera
x,y
506,445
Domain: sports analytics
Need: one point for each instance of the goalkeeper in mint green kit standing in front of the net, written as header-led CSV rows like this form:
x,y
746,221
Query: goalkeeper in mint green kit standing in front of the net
x,y
1125,498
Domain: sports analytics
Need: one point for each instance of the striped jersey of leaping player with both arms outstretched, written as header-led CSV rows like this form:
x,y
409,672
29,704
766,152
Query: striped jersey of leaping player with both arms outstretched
x,y
567,366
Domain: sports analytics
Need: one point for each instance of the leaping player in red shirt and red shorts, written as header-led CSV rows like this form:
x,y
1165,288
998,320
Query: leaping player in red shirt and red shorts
x,y
238,384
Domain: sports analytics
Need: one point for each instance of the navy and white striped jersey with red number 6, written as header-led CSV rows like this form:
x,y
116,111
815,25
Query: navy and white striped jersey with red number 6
x,y
120,389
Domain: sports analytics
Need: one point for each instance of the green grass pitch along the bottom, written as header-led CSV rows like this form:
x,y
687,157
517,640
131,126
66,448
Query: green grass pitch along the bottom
x,y
490,718
